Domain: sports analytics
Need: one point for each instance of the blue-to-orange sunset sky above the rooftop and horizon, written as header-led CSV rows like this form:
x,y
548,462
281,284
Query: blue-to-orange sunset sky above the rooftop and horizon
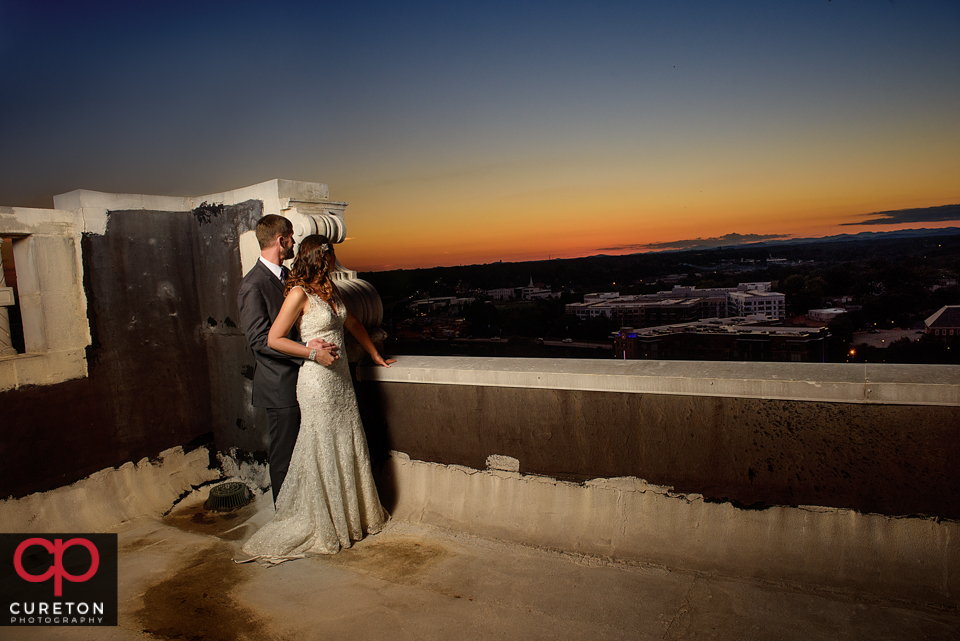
x,y
471,133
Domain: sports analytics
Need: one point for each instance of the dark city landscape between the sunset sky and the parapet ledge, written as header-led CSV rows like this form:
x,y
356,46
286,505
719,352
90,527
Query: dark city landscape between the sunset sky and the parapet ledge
x,y
886,299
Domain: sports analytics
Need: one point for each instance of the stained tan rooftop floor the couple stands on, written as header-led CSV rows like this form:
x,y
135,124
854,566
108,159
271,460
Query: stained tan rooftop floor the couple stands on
x,y
178,580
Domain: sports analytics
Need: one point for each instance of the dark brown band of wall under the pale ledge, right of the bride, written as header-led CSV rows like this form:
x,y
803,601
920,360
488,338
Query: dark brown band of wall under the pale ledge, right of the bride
x,y
888,459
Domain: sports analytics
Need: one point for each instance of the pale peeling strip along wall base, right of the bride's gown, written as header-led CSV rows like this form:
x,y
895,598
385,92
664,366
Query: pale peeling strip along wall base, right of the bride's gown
x,y
629,519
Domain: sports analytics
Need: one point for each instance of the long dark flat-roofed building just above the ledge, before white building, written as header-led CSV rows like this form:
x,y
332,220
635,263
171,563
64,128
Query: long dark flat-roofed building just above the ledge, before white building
x,y
734,339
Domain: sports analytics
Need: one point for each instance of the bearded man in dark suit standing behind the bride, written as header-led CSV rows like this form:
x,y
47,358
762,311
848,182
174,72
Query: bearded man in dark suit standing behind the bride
x,y
275,378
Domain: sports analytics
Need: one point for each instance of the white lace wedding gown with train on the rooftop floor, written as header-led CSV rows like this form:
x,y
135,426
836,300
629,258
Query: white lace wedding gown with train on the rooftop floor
x,y
328,499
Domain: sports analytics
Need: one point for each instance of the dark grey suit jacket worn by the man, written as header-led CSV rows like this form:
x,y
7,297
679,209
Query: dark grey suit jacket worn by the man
x,y
275,379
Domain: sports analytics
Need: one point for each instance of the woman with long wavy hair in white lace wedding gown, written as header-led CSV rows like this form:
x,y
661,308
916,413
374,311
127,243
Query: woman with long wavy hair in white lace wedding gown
x,y
328,499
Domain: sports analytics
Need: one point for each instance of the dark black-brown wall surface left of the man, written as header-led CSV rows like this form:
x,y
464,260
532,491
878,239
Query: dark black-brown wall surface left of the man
x,y
161,295
